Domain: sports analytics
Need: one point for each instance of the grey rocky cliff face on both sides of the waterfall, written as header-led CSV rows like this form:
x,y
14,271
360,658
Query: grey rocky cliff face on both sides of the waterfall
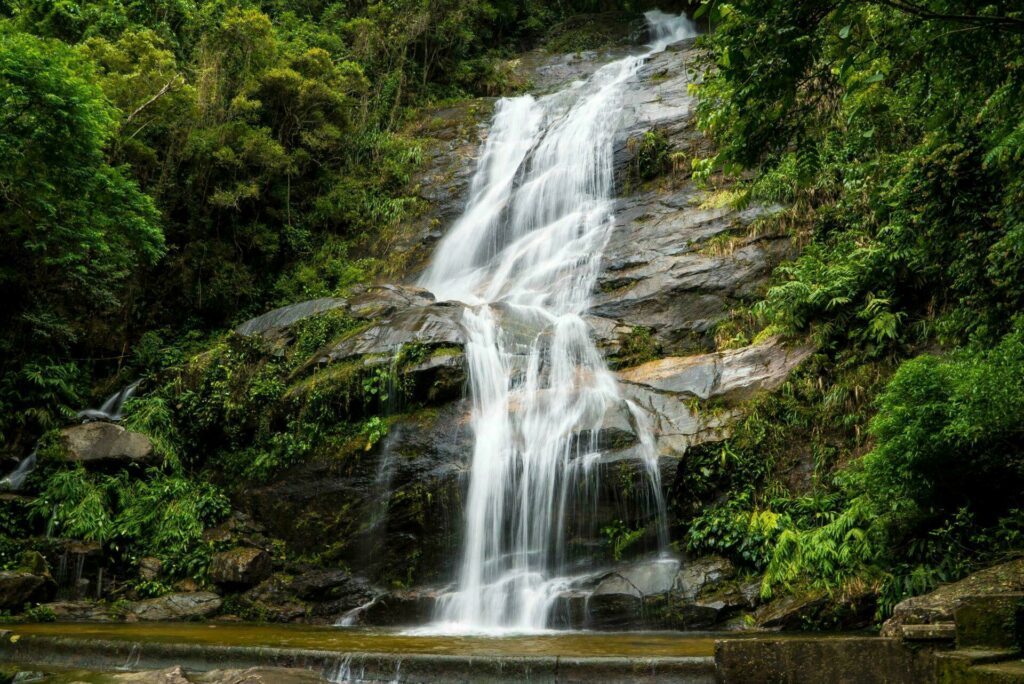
x,y
393,512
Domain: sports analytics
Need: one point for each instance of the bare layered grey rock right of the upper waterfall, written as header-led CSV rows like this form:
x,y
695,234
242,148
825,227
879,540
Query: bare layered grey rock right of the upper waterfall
x,y
658,270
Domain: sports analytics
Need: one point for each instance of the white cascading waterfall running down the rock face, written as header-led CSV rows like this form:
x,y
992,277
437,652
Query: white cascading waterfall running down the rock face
x,y
525,256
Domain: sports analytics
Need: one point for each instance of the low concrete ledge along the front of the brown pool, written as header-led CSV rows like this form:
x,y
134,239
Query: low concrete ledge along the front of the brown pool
x,y
112,655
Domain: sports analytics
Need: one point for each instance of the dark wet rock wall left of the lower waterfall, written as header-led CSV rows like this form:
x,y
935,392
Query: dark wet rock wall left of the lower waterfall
x,y
390,511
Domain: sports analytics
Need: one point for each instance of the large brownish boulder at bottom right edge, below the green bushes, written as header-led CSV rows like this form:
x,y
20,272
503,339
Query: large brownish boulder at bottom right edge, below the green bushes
x,y
942,605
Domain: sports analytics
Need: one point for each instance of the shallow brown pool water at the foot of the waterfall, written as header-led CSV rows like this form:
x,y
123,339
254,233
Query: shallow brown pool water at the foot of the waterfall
x,y
580,645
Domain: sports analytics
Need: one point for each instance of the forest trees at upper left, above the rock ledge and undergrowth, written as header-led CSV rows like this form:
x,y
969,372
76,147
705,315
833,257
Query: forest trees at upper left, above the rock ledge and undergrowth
x,y
173,167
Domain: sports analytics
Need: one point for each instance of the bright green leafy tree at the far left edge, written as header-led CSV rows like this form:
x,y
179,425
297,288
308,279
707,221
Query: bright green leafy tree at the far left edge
x,y
74,229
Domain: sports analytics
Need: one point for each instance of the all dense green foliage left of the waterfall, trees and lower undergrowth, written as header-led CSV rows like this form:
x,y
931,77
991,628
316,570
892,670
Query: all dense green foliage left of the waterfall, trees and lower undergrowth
x,y
169,169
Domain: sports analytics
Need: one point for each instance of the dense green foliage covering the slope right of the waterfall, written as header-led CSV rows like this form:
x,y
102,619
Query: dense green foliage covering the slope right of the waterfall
x,y
894,135
